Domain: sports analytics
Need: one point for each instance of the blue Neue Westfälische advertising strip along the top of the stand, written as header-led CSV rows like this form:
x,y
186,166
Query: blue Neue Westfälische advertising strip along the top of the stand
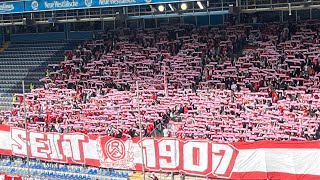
x,y
43,5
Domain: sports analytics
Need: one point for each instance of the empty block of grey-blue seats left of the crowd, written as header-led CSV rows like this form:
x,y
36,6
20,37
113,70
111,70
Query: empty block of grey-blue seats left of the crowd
x,y
27,61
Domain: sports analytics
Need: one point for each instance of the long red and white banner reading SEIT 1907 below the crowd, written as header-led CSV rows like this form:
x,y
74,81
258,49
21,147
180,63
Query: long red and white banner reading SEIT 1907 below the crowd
x,y
258,160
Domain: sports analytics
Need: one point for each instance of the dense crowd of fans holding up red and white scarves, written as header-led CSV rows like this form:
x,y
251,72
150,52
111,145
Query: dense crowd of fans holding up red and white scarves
x,y
192,84
